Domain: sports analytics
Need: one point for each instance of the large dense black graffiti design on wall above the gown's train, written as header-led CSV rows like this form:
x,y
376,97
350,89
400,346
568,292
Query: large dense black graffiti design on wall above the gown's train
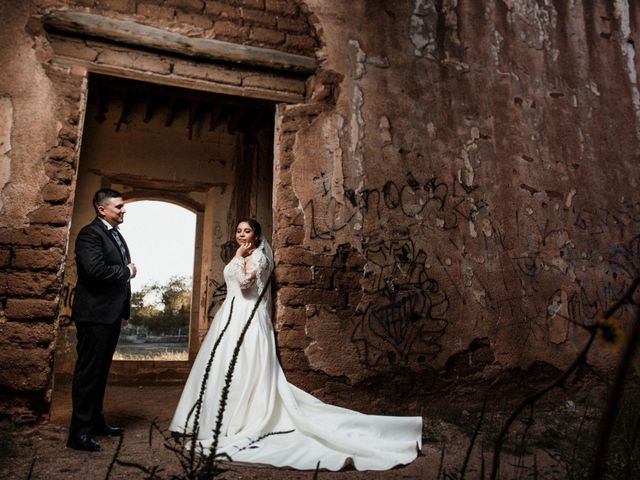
x,y
402,315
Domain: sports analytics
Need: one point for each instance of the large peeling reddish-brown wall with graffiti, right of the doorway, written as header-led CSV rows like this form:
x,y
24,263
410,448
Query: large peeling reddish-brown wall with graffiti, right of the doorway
x,y
471,195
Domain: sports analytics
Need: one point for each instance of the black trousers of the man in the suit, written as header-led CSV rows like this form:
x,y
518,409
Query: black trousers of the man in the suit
x,y
96,344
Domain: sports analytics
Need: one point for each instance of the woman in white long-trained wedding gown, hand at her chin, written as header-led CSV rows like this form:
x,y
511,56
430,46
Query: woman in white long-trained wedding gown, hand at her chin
x,y
264,419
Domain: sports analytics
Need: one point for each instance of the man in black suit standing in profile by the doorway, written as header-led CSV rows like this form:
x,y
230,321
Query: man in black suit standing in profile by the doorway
x,y
102,299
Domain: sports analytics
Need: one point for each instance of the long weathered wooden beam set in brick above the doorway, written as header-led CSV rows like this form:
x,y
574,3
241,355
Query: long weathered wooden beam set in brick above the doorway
x,y
132,33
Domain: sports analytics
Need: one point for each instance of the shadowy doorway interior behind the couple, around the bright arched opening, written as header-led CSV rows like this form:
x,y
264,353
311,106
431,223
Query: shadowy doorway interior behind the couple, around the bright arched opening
x,y
209,153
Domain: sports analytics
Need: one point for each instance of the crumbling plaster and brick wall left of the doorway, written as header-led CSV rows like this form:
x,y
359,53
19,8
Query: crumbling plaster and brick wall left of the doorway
x,y
41,113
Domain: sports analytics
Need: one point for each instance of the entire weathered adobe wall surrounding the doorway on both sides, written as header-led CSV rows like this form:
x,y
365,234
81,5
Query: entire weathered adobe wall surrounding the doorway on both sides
x,y
458,188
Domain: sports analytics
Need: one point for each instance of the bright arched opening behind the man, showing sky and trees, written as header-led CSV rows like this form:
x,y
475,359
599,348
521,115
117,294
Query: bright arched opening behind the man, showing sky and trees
x,y
161,239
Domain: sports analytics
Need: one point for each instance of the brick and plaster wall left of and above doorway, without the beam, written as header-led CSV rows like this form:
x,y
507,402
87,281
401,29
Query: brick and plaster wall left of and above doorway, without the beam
x,y
42,100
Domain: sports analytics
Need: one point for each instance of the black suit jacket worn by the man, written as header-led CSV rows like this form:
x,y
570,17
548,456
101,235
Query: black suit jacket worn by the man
x,y
103,292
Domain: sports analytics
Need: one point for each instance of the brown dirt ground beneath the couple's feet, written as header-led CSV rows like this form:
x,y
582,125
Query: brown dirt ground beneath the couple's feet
x,y
42,449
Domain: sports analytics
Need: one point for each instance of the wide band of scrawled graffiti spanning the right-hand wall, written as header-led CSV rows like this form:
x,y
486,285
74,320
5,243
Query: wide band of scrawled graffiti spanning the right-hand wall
x,y
431,244
